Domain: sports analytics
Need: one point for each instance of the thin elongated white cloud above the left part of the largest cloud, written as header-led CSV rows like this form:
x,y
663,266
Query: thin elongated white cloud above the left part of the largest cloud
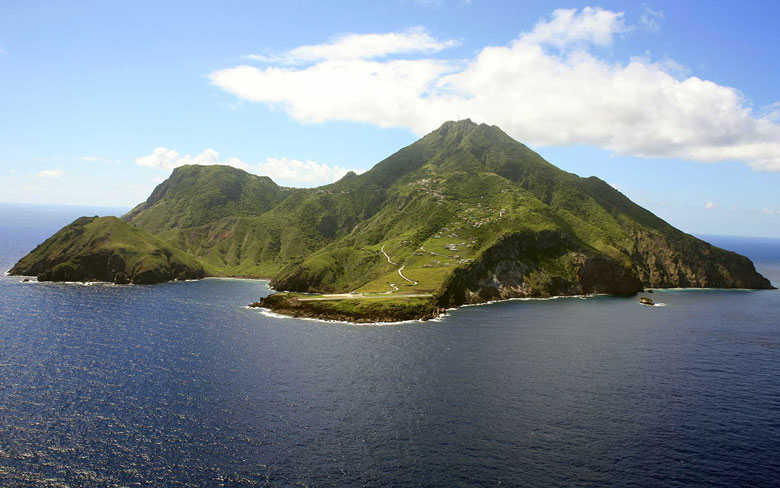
x,y
362,46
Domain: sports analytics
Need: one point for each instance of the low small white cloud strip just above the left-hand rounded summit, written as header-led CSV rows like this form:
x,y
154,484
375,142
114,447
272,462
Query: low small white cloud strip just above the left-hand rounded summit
x,y
287,171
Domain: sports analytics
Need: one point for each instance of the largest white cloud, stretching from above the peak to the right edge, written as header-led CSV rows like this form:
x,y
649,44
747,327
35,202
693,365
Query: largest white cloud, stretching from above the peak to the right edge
x,y
547,98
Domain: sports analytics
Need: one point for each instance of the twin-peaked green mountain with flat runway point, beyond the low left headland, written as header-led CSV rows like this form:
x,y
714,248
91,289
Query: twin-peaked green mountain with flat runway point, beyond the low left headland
x,y
464,215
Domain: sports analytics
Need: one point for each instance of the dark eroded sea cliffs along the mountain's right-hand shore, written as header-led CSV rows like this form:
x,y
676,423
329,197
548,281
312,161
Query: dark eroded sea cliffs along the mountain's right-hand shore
x,y
550,263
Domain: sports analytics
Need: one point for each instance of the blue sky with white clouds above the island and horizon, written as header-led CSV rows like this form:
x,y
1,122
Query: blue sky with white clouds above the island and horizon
x,y
676,104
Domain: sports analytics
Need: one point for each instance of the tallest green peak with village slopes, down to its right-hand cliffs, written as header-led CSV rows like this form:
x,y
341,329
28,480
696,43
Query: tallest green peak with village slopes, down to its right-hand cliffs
x,y
467,193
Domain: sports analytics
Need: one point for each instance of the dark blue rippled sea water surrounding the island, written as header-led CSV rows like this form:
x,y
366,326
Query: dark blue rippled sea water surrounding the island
x,y
180,385
